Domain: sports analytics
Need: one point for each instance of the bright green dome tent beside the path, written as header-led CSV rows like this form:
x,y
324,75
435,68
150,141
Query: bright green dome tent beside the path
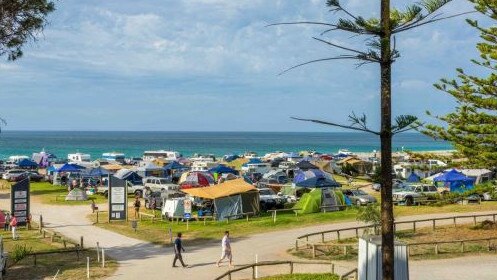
x,y
313,201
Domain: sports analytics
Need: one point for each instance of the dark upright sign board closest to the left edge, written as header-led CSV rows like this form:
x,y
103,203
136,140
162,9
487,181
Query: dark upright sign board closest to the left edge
x,y
19,201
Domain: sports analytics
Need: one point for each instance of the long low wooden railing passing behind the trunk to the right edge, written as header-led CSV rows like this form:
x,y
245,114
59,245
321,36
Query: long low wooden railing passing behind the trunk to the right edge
x,y
337,232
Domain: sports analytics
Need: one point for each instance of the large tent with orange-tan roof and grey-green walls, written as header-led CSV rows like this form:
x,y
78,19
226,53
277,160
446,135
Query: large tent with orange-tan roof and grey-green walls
x,y
231,198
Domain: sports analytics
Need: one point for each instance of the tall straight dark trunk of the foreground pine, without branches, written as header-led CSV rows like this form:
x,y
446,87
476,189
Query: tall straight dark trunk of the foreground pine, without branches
x,y
387,233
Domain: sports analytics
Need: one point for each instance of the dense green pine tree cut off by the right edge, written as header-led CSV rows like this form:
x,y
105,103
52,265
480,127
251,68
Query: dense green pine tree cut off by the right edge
x,y
472,127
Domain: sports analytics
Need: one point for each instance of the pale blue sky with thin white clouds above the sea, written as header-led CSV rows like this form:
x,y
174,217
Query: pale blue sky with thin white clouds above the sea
x,y
213,65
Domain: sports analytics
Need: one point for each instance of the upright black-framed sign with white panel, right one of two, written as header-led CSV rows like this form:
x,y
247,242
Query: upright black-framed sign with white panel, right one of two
x,y
118,199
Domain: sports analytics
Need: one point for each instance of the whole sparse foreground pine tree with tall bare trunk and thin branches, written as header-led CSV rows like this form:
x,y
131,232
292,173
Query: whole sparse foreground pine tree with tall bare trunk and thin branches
x,y
380,49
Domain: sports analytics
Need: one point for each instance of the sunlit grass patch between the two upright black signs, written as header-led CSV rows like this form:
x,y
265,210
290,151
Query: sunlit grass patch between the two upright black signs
x,y
50,194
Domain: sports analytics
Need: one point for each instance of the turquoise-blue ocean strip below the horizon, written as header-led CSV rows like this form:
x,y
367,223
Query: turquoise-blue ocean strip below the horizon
x,y
133,144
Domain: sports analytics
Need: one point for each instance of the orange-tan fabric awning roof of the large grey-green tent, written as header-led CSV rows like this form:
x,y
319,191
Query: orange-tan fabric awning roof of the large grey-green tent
x,y
227,188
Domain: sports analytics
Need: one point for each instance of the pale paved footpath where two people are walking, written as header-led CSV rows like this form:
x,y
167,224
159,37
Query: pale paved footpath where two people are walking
x,y
139,259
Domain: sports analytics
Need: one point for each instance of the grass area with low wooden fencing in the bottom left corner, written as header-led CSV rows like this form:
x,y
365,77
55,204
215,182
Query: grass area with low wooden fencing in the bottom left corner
x,y
67,264
